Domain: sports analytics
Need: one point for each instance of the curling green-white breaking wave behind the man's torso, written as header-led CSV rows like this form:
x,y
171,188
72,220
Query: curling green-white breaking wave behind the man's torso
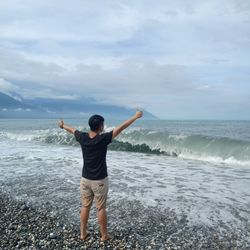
x,y
197,147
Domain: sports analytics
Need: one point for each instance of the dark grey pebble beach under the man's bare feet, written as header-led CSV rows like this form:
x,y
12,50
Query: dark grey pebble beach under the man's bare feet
x,y
25,226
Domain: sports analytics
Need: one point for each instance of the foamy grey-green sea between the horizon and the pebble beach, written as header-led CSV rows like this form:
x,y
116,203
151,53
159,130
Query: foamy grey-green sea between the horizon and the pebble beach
x,y
199,168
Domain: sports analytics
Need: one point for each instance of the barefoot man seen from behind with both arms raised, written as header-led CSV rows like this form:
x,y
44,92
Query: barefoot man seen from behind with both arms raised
x,y
94,181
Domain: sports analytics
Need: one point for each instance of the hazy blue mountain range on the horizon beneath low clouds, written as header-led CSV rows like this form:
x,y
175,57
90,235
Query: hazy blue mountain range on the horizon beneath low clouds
x,y
58,108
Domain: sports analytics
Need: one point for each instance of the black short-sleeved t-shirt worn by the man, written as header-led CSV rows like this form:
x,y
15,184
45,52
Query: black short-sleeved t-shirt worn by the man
x,y
94,151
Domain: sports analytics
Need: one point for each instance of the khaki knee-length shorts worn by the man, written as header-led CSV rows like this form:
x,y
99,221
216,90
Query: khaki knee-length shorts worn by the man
x,y
90,189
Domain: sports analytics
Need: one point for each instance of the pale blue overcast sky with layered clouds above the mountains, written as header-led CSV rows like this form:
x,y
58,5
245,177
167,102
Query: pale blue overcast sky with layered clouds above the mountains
x,y
182,59
